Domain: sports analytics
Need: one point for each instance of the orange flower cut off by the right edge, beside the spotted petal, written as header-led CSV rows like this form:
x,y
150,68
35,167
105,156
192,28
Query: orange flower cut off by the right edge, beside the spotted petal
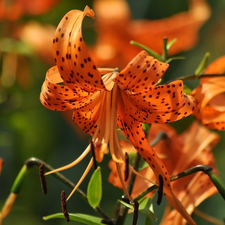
x,y
210,98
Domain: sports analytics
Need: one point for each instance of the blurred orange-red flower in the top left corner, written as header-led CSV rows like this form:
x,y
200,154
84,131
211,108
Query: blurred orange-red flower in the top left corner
x,y
13,10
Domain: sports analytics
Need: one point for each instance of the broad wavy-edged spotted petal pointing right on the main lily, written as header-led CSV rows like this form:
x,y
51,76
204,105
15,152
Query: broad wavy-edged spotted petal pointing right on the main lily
x,y
162,104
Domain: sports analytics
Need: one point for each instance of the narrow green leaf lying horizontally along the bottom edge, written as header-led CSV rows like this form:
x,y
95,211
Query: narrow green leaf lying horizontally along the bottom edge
x,y
83,218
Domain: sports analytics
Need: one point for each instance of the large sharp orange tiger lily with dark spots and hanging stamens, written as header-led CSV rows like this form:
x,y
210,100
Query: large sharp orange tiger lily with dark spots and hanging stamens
x,y
101,99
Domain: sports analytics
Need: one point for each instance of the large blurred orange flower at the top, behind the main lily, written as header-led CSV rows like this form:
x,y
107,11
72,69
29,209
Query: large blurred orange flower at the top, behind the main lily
x,y
115,29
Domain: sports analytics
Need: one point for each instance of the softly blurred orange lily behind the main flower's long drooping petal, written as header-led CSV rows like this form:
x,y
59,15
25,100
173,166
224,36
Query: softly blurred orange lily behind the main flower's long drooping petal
x,y
178,153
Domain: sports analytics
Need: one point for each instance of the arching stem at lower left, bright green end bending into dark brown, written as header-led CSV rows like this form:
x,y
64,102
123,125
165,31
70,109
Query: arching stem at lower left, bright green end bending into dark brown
x,y
37,162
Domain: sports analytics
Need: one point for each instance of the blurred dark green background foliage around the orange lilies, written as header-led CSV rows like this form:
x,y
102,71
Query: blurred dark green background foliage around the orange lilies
x,y
27,129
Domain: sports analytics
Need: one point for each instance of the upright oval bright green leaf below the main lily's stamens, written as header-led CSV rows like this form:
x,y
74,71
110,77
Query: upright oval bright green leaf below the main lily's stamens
x,y
94,190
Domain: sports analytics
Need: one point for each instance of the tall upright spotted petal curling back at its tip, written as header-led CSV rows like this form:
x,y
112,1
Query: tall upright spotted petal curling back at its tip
x,y
71,55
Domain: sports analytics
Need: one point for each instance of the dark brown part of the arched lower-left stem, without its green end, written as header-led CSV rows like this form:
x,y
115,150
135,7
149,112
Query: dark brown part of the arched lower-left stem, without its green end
x,y
37,162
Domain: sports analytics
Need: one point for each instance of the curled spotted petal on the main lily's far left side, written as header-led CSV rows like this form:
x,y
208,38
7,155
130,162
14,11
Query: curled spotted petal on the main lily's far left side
x,y
59,97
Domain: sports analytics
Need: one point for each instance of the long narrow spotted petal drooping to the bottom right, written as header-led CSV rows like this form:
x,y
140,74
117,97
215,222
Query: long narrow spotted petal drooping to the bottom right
x,y
134,132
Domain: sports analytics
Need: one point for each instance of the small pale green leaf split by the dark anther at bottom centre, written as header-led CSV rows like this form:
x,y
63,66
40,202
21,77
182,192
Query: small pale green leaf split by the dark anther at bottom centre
x,y
145,207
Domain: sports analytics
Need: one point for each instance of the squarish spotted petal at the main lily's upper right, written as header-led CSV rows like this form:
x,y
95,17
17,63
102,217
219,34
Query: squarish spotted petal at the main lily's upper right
x,y
141,74
